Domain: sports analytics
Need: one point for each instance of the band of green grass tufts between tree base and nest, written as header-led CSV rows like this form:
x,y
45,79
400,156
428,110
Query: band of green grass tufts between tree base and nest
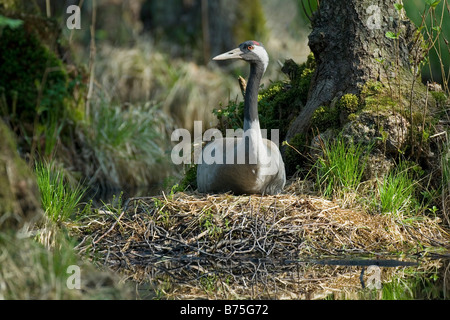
x,y
339,174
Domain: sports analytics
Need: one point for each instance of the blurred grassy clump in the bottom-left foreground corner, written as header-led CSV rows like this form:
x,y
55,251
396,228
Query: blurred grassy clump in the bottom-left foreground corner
x,y
30,271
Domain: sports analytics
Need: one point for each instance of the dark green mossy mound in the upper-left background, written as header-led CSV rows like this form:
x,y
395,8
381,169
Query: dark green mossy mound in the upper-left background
x,y
38,97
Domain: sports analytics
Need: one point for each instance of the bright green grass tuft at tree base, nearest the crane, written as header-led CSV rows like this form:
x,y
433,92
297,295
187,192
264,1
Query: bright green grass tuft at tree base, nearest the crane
x,y
340,167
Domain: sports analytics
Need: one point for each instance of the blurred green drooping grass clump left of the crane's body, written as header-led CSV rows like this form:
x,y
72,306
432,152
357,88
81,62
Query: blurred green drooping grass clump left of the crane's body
x,y
129,145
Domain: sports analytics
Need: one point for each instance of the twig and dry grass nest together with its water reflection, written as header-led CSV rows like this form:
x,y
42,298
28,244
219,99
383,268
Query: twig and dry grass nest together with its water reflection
x,y
249,246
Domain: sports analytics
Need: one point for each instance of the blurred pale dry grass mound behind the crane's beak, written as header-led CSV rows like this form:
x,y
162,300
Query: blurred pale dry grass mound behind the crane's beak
x,y
187,92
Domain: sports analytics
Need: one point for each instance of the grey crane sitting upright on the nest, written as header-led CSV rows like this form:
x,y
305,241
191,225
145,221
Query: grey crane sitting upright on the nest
x,y
248,164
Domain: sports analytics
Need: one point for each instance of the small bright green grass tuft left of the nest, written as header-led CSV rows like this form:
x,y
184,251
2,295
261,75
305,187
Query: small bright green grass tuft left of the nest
x,y
59,199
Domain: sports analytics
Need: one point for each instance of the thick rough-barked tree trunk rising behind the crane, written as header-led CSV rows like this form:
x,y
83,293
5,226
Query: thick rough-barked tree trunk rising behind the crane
x,y
347,39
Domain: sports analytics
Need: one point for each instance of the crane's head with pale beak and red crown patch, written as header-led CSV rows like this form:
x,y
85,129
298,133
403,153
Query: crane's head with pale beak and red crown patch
x,y
250,51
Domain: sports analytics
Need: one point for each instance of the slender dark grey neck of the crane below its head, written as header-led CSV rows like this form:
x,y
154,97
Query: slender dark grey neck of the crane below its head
x,y
251,119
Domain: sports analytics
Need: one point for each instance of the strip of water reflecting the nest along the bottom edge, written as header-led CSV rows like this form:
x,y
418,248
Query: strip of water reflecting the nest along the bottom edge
x,y
191,277
